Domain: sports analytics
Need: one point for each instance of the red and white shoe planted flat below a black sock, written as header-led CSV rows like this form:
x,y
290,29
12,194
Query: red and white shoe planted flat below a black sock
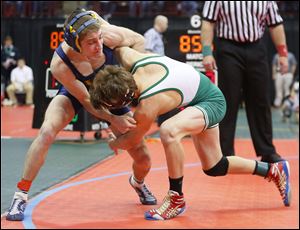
x,y
173,205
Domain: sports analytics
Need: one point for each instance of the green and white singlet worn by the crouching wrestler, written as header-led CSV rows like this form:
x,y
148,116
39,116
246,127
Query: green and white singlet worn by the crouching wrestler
x,y
194,87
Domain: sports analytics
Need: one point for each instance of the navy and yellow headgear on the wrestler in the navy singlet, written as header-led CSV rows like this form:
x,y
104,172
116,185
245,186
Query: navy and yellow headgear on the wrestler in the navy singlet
x,y
71,35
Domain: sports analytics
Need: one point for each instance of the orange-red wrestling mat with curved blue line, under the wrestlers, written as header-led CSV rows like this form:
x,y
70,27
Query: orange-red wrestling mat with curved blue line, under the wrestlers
x,y
101,196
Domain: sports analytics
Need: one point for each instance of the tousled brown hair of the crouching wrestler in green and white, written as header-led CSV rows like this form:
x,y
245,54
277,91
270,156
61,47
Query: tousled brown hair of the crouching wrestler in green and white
x,y
111,86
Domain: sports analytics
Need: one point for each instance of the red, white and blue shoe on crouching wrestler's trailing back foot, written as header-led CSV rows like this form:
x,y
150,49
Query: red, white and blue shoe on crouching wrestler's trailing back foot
x,y
280,174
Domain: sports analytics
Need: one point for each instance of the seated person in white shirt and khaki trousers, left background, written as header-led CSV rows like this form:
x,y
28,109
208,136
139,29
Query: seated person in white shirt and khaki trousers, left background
x,y
21,81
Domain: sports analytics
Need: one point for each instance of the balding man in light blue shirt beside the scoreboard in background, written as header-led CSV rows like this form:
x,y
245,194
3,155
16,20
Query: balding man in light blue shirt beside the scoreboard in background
x,y
154,41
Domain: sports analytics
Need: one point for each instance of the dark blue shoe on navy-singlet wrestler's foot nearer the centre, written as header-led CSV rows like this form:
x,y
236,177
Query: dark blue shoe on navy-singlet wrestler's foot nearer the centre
x,y
146,197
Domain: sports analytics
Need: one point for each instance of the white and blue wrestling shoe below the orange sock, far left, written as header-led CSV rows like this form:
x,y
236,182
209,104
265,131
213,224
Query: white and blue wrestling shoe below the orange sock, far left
x,y
17,208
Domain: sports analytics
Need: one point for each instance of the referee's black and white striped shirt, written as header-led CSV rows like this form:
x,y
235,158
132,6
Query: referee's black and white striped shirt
x,y
241,21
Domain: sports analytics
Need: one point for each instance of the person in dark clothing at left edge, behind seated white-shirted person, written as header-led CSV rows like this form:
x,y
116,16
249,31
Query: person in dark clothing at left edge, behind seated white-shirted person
x,y
9,56
